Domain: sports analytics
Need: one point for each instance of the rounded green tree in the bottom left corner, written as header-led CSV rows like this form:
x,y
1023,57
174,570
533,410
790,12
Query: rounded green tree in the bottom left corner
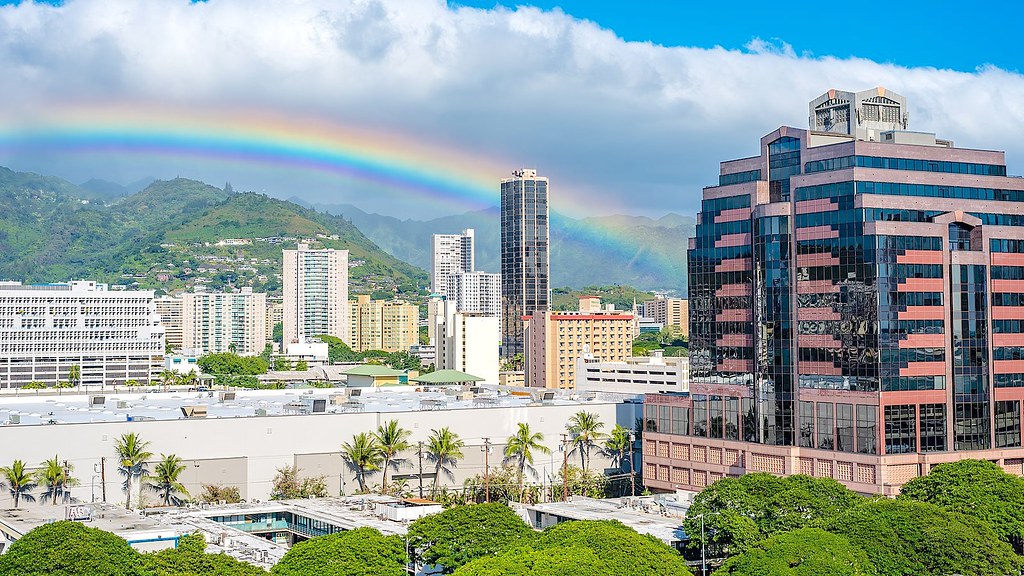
x,y
70,549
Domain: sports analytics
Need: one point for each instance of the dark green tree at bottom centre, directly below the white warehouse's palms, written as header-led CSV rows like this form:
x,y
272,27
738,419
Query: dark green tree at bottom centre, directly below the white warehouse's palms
x,y
458,536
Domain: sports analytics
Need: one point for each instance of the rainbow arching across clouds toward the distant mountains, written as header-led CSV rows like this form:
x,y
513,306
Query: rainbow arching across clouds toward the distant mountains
x,y
263,139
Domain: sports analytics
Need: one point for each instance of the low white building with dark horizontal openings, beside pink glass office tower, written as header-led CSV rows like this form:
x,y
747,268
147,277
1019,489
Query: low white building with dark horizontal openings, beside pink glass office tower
x,y
654,375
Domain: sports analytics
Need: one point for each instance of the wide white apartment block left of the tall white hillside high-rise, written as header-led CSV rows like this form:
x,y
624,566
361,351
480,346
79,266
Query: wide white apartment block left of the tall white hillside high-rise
x,y
219,322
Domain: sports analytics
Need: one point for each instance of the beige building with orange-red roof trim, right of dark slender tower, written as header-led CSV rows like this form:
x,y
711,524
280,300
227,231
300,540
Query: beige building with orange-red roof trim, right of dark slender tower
x,y
556,341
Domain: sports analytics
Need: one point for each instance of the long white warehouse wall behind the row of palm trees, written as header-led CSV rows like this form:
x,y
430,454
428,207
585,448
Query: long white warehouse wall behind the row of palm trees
x,y
245,452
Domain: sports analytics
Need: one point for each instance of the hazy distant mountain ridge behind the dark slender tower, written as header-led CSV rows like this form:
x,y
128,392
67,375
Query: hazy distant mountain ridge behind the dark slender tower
x,y
638,252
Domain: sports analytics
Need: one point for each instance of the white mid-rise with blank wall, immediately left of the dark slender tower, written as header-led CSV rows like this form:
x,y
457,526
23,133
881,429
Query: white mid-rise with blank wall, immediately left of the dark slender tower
x,y
468,343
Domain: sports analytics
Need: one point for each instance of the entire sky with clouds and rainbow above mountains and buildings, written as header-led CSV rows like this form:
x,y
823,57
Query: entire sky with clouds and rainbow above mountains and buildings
x,y
418,108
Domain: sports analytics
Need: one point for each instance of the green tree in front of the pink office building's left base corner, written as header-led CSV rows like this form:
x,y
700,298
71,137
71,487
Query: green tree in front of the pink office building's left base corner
x,y
772,505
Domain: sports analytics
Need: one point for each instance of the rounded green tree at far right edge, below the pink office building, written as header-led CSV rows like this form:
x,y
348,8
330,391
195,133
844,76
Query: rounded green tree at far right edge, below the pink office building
x,y
976,488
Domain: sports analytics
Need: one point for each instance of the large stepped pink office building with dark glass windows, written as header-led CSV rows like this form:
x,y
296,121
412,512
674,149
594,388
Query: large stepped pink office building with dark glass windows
x,y
857,309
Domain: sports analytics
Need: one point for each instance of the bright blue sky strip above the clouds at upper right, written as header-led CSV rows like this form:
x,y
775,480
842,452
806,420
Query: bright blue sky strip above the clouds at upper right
x,y
938,33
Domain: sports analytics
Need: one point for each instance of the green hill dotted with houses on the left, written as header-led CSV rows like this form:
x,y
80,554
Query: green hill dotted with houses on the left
x,y
169,236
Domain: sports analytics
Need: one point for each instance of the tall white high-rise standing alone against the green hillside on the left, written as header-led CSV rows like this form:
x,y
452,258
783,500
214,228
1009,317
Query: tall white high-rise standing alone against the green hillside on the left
x,y
316,295
